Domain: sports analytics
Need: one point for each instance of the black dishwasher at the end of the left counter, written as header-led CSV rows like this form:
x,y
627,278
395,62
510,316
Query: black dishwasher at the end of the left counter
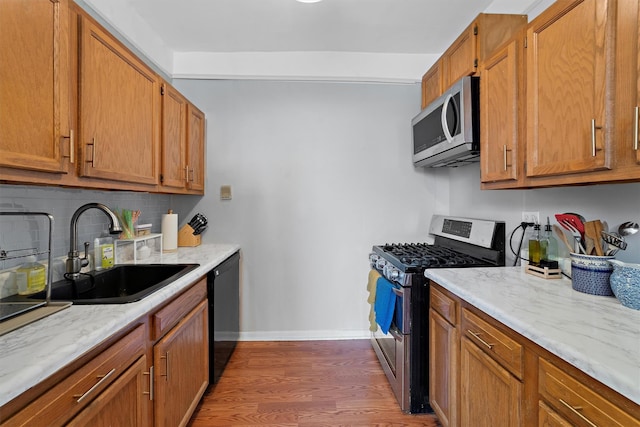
x,y
223,287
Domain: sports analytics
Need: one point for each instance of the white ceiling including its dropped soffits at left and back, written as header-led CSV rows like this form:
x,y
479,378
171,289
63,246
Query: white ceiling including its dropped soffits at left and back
x,y
347,40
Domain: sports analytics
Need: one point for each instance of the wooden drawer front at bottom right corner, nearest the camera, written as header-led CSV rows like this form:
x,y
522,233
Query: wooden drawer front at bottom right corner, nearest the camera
x,y
576,401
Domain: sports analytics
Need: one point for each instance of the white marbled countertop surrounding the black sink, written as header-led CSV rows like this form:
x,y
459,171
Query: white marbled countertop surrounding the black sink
x,y
34,352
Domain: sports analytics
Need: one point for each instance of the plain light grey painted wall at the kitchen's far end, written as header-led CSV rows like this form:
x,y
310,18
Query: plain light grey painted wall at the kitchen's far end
x,y
320,172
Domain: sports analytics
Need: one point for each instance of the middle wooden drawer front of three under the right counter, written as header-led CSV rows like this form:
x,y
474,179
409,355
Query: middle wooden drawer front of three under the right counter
x,y
494,342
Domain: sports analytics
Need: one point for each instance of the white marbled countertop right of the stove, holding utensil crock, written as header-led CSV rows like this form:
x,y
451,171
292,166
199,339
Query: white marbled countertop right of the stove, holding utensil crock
x,y
596,334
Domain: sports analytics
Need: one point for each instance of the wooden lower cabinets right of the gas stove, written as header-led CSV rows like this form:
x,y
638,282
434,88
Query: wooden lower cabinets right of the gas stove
x,y
482,373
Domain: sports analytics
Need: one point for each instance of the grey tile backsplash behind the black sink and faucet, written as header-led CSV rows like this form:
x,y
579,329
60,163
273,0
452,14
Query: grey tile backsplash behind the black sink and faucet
x,y
31,232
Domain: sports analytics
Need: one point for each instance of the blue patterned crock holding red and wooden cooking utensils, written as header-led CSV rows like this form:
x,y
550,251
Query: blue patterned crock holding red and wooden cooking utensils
x,y
590,274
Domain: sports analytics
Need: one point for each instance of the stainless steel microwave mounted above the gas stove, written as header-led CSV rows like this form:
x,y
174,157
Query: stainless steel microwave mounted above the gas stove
x,y
447,132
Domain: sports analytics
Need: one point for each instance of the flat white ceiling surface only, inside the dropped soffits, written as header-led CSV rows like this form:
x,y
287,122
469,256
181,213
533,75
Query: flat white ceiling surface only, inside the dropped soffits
x,y
379,26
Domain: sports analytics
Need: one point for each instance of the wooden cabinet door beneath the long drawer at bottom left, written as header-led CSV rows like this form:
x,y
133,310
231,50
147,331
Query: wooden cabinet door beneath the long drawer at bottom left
x,y
123,403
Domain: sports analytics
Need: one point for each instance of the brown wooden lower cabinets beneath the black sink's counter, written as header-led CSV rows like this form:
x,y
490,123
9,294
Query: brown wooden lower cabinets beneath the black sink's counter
x,y
155,374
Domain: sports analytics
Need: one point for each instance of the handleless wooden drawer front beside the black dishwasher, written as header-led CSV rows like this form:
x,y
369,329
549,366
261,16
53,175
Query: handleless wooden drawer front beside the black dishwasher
x,y
168,316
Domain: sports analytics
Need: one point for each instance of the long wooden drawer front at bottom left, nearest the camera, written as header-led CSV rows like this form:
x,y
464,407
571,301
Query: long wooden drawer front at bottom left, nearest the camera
x,y
65,399
